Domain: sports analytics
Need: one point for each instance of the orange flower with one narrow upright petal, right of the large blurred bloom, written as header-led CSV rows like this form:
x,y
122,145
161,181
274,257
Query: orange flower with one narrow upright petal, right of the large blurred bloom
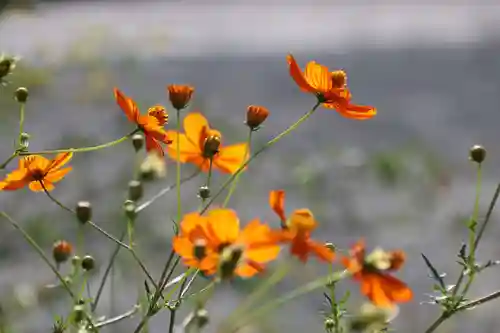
x,y
297,230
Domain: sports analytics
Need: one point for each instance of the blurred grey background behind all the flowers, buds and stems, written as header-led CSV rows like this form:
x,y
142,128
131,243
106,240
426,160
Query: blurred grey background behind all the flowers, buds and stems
x,y
401,180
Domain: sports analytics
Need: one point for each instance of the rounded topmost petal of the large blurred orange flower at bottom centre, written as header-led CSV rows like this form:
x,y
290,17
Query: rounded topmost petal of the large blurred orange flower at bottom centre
x,y
223,225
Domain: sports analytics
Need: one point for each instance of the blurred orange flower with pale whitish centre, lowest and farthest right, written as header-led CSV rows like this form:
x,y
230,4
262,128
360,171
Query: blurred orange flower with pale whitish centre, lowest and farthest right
x,y
373,272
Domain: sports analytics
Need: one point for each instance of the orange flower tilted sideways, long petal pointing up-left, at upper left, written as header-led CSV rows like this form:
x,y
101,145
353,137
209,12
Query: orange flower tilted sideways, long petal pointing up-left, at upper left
x,y
151,124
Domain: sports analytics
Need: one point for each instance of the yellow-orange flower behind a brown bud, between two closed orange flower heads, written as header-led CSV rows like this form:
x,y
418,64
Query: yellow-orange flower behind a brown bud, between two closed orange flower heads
x,y
192,146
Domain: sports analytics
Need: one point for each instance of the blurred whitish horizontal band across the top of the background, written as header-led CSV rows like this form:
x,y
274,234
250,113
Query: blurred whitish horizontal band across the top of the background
x,y
173,28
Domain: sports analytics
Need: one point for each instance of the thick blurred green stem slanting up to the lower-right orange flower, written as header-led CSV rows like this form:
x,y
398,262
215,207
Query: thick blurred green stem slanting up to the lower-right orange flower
x,y
275,303
